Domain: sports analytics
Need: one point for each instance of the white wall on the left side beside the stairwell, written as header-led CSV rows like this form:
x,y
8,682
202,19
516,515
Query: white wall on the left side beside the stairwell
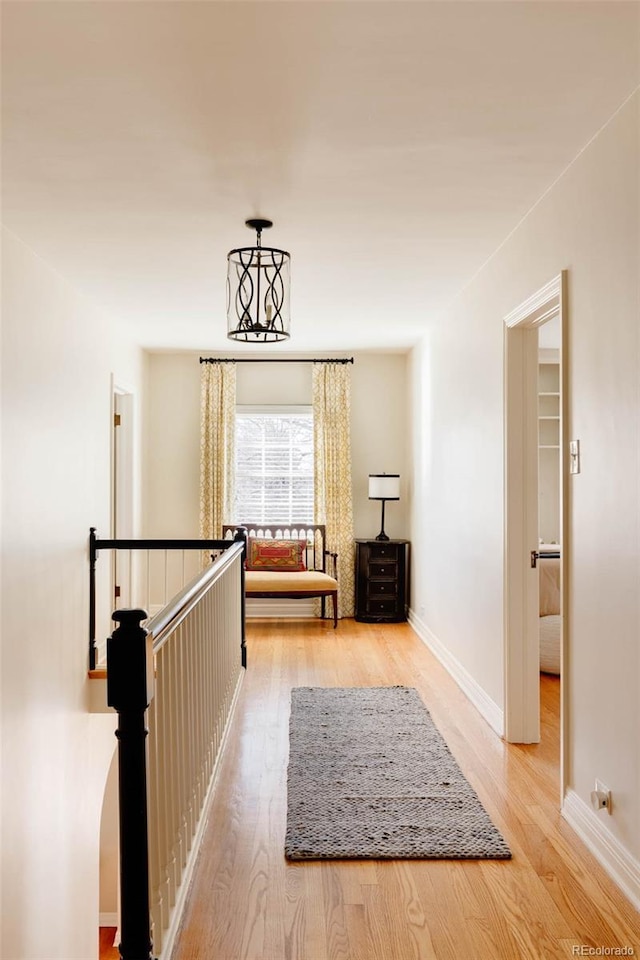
x,y
58,354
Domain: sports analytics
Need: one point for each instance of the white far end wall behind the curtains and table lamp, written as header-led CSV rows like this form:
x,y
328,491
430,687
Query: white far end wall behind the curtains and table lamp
x,y
380,441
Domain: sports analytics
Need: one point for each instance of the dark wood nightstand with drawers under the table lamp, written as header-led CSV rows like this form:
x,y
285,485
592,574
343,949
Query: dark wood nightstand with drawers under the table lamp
x,y
382,580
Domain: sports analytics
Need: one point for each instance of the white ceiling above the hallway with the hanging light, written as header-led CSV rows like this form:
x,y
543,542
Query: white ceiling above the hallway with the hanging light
x,y
394,144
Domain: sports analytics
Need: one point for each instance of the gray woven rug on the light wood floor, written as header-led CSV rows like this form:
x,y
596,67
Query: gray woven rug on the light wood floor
x,y
370,776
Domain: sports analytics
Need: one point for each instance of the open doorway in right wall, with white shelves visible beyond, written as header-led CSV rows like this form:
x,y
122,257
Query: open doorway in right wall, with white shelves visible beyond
x,y
535,503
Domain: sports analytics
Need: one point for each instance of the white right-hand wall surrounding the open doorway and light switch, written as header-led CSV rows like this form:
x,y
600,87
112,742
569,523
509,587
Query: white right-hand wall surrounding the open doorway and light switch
x,y
588,223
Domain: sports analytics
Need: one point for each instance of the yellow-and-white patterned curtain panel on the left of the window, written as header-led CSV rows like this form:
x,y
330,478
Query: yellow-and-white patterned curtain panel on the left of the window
x,y
217,446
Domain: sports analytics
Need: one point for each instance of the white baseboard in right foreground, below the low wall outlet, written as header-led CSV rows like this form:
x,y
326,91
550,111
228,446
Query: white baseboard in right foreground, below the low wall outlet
x,y
590,826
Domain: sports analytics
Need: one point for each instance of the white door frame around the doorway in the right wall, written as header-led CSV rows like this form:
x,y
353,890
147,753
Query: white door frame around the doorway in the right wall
x,y
521,646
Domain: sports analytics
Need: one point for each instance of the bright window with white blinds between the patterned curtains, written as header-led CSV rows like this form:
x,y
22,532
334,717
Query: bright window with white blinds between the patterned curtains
x,y
274,464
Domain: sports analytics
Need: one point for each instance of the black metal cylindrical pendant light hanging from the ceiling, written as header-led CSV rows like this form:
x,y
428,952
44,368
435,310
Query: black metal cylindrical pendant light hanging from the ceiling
x,y
258,291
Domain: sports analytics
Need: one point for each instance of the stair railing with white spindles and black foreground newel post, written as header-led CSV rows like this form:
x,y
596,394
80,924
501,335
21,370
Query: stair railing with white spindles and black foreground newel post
x,y
192,655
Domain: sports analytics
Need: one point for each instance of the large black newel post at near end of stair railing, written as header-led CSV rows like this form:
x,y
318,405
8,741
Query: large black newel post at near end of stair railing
x,y
130,691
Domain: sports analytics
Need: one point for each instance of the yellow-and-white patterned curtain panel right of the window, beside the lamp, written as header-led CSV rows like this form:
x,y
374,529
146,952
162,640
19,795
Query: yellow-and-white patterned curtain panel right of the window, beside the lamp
x,y
332,453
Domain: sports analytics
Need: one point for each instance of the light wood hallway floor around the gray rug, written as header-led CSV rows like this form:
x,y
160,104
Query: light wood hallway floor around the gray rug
x,y
248,903
